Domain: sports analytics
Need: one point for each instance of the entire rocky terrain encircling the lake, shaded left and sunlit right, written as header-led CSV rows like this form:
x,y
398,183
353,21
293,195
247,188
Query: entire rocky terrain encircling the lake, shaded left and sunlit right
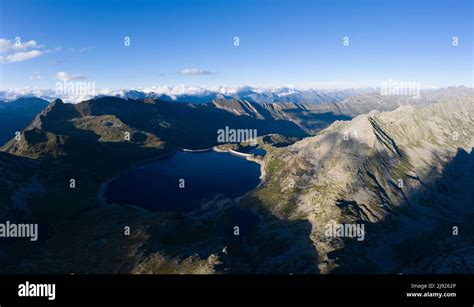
x,y
349,172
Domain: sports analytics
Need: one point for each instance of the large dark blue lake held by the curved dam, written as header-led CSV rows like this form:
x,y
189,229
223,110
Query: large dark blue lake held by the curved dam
x,y
155,185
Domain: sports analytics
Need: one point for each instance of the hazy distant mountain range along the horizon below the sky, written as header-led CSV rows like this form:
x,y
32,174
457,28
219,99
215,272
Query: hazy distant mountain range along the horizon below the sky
x,y
307,111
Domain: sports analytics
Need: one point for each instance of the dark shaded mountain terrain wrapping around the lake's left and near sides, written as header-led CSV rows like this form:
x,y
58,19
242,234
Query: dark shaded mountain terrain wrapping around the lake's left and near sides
x,y
85,142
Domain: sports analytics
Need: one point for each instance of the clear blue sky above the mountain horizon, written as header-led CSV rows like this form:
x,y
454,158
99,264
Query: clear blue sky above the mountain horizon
x,y
282,42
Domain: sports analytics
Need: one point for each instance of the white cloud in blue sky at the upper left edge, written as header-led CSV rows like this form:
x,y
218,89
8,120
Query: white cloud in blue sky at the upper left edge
x,y
11,52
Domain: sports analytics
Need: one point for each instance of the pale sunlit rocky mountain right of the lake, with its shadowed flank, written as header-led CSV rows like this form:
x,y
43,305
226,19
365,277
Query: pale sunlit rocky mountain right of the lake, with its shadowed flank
x,y
402,174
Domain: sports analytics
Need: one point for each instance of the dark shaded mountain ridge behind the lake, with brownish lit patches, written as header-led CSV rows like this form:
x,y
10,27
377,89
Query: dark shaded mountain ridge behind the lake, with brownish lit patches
x,y
93,134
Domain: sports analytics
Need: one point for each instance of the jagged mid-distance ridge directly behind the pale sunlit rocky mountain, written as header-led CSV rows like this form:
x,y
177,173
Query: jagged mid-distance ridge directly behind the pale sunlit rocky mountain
x,y
313,117
